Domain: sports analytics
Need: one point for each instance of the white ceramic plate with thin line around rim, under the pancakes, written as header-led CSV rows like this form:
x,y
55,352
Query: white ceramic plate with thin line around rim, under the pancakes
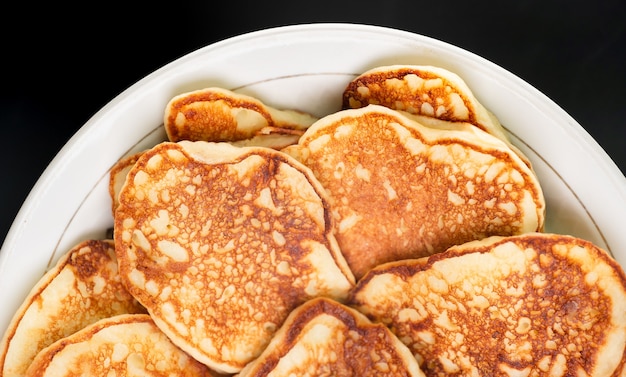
x,y
303,67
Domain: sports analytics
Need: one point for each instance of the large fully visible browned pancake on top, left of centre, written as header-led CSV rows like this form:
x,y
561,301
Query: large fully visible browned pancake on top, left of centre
x,y
220,243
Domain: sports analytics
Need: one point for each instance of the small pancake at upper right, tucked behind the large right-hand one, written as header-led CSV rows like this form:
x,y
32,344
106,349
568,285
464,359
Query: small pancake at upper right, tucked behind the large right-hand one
x,y
427,91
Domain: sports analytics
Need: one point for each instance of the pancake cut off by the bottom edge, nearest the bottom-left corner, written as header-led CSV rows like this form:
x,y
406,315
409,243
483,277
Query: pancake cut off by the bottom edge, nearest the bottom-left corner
x,y
123,345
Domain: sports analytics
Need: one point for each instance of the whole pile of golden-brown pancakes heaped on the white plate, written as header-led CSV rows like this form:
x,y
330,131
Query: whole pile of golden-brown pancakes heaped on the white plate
x,y
402,236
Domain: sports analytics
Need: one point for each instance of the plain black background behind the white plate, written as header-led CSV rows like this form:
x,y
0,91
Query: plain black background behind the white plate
x,y
61,64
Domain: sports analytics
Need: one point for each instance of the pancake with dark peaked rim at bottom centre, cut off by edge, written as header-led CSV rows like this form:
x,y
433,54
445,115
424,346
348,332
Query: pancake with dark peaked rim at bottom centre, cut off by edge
x,y
325,338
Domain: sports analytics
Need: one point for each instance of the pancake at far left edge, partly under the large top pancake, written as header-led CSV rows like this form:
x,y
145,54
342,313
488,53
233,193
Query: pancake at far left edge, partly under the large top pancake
x,y
83,287
